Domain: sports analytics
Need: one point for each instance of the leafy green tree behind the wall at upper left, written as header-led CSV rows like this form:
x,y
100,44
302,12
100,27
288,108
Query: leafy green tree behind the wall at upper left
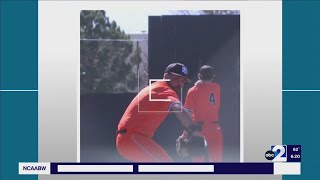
x,y
105,65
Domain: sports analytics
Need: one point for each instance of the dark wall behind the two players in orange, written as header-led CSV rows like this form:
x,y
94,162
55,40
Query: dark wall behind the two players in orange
x,y
193,41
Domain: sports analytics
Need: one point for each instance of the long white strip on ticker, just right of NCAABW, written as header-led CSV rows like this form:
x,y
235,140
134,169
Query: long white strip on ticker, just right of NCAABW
x,y
95,168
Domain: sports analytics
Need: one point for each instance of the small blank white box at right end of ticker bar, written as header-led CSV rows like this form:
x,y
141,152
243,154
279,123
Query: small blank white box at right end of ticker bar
x,y
287,168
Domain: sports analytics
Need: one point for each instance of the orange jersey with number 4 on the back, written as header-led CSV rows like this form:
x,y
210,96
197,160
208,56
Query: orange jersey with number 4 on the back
x,y
204,100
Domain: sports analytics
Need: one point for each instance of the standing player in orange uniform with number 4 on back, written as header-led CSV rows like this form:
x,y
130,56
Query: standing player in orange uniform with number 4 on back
x,y
203,99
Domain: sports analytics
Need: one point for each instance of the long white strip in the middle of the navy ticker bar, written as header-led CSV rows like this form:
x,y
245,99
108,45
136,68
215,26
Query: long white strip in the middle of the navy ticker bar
x,y
176,168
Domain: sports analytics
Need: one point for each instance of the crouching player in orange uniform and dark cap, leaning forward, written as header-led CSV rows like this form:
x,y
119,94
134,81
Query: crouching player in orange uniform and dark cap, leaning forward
x,y
145,114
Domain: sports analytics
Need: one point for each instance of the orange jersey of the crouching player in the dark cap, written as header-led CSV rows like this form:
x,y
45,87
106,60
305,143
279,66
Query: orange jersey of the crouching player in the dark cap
x,y
144,116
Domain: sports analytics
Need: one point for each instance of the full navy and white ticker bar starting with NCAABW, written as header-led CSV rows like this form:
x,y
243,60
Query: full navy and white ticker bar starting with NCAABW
x,y
277,168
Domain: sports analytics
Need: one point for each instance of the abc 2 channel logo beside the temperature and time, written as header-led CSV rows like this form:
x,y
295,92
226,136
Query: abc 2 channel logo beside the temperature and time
x,y
278,153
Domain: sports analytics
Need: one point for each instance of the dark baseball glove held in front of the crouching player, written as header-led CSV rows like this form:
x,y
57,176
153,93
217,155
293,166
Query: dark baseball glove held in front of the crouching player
x,y
191,146
